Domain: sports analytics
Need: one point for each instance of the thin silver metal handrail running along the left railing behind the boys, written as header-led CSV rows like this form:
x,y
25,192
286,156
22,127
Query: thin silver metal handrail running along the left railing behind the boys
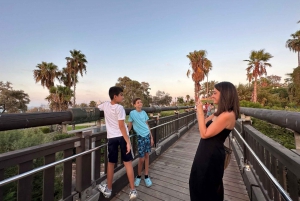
x,y
31,172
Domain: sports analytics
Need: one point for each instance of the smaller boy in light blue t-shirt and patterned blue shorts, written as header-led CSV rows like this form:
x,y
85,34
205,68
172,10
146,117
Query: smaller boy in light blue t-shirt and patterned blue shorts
x,y
138,119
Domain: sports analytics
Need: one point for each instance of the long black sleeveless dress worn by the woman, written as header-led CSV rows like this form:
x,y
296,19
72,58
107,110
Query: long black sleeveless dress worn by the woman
x,y
208,168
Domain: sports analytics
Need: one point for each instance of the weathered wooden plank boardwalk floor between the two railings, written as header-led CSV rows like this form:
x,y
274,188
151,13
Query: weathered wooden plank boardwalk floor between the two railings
x,y
170,174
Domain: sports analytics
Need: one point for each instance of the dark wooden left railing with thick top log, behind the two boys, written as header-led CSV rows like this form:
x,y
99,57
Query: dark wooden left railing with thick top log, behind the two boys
x,y
80,161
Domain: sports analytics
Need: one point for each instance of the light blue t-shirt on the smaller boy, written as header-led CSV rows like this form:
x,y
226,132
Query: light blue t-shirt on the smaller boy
x,y
138,120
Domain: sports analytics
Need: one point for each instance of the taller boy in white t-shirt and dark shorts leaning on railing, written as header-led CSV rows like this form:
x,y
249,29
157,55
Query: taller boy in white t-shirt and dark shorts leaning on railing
x,y
117,135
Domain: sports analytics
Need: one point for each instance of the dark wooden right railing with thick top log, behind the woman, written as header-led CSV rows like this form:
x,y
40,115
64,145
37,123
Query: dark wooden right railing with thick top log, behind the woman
x,y
282,163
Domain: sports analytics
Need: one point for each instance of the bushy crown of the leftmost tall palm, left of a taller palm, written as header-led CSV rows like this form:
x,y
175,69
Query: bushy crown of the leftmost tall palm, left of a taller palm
x,y
46,73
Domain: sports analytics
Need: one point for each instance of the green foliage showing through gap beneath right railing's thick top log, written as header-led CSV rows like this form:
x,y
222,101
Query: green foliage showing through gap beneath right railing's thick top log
x,y
278,134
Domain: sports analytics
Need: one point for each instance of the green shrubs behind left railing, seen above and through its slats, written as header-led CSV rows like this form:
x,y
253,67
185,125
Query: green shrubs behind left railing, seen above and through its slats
x,y
23,138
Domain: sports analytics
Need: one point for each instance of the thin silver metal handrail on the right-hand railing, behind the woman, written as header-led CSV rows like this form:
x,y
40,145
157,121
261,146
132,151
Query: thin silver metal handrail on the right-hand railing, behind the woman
x,y
269,174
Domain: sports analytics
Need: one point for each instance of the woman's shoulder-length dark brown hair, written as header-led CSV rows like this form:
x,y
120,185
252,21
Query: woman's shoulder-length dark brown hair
x,y
229,100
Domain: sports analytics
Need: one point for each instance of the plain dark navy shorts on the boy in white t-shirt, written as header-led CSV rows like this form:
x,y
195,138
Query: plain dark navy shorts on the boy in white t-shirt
x,y
112,150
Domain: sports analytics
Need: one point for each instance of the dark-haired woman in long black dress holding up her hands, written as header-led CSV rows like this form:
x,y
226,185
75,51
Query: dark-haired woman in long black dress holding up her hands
x,y
208,167
